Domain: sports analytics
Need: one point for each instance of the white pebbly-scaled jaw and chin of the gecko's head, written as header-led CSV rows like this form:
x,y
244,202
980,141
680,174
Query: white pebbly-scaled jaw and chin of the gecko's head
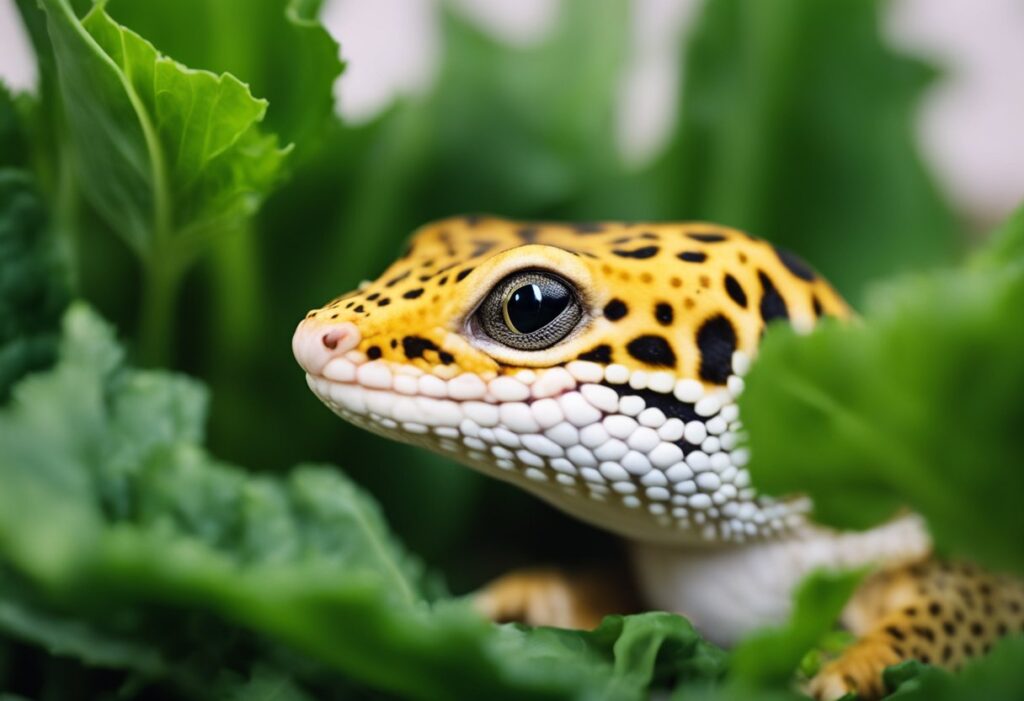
x,y
648,456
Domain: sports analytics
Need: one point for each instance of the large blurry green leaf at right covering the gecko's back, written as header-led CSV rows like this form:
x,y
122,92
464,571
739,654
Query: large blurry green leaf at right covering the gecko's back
x,y
920,406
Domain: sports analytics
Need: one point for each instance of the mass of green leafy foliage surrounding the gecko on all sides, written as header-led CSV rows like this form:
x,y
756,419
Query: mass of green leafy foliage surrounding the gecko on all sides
x,y
133,563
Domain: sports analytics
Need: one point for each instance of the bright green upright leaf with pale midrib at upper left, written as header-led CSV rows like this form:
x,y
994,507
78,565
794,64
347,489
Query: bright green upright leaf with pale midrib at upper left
x,y
167,155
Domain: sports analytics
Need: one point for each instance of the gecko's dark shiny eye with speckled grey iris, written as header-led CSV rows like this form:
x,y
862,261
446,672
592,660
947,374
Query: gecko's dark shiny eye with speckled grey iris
x,y
530,311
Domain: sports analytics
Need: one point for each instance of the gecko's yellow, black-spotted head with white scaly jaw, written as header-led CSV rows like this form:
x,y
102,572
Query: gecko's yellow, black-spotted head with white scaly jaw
x,y
594,365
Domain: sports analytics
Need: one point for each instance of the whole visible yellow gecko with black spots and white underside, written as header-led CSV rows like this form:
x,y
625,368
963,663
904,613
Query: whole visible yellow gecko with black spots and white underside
x,y
626,417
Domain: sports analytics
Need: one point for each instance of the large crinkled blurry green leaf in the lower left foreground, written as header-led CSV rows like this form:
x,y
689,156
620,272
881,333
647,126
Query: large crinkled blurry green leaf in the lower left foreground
x,y
114,512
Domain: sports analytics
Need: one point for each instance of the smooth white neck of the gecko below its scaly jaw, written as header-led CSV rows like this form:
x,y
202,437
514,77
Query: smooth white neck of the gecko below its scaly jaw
x,y
729,591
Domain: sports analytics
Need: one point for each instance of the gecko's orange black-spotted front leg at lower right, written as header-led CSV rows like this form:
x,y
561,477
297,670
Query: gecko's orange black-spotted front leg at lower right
x,y
938,614
